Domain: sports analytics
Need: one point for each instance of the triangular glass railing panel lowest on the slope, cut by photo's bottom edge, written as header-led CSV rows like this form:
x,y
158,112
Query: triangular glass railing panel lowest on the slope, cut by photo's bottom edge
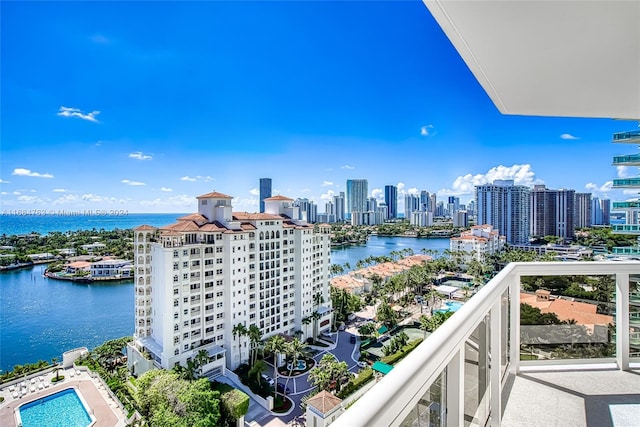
x,y
430,411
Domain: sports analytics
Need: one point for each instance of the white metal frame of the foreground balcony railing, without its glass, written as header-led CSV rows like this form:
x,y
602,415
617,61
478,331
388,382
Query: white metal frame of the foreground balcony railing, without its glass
x,y
442,355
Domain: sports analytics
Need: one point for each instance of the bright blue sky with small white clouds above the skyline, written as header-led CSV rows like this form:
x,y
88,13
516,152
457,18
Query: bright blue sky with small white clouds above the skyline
x,y
143,106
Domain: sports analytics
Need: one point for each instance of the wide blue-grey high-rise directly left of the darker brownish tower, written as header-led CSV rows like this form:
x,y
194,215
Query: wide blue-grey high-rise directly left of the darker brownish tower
x,y
506,207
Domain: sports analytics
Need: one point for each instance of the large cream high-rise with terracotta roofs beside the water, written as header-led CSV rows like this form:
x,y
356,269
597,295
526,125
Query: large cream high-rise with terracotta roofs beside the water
x,y
197,279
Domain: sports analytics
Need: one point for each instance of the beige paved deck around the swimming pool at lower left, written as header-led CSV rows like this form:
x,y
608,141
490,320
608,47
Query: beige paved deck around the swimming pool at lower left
x,y
104,409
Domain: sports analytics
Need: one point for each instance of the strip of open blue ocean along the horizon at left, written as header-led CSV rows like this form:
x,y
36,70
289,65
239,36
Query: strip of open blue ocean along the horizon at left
x,y
44,222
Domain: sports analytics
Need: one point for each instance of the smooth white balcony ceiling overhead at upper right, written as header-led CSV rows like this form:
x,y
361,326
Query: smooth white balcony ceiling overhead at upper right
x,y
550,58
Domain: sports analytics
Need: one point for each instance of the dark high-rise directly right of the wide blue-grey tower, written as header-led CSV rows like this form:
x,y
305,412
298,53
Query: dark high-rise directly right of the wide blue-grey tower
x,y
552,212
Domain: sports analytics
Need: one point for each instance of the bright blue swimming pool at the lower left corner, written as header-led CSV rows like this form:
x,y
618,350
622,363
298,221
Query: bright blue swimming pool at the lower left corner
x,y
62,409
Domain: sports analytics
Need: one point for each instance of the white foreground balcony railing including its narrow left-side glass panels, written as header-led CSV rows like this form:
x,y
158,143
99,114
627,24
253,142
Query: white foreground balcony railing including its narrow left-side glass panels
x,y
458,374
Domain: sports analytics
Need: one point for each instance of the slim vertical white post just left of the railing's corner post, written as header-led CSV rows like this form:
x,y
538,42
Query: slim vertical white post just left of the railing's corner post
x,y
495,374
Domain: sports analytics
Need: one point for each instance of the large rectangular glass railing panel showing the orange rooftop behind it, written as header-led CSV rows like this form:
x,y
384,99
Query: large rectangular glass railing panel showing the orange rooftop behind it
x,y
567,317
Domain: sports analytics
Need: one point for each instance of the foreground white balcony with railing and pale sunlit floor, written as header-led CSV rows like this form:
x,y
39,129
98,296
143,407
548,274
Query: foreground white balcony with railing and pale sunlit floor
x,y
473,370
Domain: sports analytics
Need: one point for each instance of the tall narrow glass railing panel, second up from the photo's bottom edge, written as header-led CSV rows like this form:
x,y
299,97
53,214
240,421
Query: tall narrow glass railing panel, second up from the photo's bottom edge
x,y
476,376
